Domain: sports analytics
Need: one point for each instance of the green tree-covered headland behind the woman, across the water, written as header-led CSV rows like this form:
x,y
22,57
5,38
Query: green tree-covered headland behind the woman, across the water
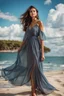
x,y
13,45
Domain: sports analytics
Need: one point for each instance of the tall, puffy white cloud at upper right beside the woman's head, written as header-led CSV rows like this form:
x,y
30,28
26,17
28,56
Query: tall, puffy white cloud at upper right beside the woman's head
x,y
55,22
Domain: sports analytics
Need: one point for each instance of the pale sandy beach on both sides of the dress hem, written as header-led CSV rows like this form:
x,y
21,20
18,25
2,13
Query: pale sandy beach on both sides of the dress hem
x,y
56,78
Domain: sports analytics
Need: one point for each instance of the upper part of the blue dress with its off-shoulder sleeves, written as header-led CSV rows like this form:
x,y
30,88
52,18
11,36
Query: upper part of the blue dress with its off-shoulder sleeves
x,y
34,31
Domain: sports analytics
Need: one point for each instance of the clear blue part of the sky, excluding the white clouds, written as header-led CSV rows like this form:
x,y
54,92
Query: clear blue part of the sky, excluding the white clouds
x,y
17,7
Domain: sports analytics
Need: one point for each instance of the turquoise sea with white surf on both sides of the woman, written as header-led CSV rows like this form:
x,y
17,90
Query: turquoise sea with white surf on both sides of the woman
x,y
51,63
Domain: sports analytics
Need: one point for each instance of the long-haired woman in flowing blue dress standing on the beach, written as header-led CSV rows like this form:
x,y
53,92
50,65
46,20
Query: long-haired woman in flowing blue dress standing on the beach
x,y
28,66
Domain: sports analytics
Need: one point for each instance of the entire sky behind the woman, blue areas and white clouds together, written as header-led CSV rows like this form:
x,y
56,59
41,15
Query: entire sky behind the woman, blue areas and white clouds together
x,y
51,13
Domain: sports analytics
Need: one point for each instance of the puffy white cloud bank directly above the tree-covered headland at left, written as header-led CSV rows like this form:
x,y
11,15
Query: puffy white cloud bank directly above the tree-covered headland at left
x,y
13,32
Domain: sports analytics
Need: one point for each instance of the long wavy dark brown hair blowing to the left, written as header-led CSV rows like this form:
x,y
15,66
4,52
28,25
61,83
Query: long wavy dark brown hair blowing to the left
x,y
26,19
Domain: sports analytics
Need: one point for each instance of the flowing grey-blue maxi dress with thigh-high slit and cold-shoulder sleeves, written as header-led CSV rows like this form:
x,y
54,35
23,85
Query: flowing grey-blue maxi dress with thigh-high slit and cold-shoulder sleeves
x,y
29,57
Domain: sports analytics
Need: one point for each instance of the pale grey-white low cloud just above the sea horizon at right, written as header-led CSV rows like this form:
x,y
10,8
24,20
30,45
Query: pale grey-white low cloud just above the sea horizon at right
x,y
56,45
